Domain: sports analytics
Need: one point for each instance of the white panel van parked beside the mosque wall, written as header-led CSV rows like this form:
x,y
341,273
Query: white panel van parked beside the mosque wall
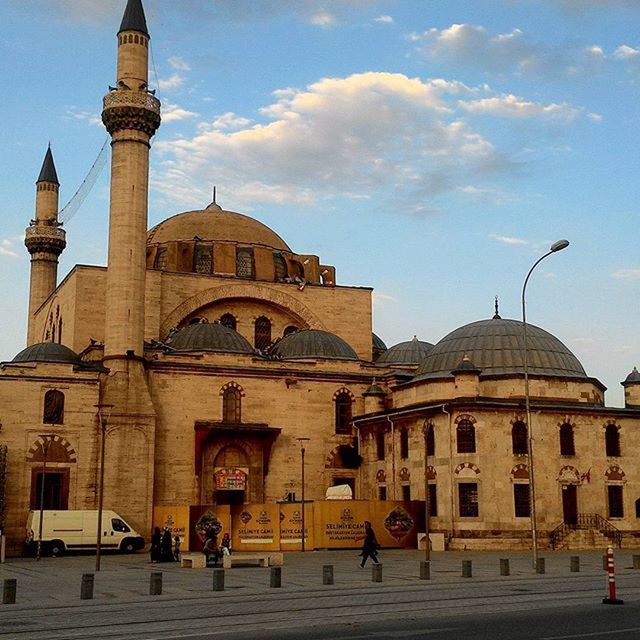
x,y
68,530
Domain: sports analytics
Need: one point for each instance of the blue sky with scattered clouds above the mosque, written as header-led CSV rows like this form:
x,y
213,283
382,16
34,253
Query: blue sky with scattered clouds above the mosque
x,y
430,149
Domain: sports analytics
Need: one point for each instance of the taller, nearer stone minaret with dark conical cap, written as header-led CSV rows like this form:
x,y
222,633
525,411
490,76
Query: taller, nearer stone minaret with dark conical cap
x,y
131,115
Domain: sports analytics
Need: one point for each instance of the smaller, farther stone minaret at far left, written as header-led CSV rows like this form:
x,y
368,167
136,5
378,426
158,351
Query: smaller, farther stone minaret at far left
x,y
45,241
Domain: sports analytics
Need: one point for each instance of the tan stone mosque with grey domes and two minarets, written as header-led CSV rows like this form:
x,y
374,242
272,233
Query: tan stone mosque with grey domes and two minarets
x,y
207,351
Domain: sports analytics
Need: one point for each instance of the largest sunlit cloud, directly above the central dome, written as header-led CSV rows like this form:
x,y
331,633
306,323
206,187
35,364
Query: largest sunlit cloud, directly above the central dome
x,y
340,136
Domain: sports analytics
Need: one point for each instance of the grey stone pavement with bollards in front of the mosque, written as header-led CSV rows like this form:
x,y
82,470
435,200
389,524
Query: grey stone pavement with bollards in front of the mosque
x,y
48,598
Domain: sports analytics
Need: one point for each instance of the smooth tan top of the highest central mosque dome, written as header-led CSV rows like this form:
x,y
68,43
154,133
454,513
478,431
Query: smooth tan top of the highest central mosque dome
x,y
215,224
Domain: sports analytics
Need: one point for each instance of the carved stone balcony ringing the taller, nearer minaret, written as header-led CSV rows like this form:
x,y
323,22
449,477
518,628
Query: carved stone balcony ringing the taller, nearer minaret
x,y
128,109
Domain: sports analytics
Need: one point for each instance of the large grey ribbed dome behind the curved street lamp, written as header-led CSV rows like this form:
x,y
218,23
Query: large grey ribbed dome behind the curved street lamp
x,y
495,347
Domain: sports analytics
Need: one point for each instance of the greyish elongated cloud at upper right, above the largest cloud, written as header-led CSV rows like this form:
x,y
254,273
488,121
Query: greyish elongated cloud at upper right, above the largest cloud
x,y
473,45
